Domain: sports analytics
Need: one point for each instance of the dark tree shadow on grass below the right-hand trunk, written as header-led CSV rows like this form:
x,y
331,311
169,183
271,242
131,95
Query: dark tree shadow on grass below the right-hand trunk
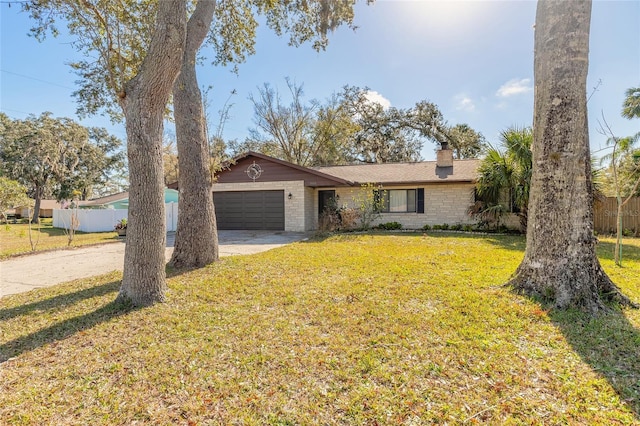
x,y
610,344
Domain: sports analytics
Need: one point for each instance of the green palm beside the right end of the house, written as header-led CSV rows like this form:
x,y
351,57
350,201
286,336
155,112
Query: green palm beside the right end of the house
x,y
505,175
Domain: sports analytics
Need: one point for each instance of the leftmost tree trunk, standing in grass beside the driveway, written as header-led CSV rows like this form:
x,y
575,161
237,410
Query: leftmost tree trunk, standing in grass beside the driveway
x,y
144,103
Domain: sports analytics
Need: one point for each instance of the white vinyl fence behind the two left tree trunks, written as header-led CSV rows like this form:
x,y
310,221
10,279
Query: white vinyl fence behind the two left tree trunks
x,y
104,220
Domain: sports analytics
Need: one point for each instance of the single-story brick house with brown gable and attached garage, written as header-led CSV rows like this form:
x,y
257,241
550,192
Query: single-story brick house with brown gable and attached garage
x,y
260,192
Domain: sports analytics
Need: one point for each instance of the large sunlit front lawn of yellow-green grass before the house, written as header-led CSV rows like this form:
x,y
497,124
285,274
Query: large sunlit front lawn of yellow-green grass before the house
x,y
353,329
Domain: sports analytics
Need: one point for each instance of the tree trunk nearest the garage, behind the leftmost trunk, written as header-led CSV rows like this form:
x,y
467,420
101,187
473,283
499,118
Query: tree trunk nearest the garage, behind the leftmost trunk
x,y
196,242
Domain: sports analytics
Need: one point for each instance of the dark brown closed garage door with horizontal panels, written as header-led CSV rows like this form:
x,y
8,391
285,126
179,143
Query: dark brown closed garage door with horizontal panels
x,y
250,210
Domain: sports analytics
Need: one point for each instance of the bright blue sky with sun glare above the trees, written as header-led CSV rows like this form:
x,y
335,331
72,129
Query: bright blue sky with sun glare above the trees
x,y
474,59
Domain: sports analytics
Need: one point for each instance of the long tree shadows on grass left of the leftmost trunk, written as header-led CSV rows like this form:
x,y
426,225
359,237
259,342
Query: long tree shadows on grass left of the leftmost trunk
x,y
65,328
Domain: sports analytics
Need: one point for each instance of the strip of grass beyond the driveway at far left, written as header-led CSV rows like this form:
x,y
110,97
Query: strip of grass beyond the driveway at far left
x,y
14,238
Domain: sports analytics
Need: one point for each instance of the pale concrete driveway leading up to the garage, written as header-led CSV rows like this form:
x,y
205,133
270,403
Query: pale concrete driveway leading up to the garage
x,y
26,273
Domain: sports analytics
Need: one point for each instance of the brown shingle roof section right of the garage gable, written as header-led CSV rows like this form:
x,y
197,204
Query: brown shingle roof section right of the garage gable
x,y
398,173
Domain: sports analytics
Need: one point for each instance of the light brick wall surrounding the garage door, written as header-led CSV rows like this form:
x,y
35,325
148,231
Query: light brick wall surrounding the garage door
x,y
295,209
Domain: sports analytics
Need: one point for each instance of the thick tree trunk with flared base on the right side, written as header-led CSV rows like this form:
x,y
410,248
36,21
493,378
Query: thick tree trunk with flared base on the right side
x,y
560,263
